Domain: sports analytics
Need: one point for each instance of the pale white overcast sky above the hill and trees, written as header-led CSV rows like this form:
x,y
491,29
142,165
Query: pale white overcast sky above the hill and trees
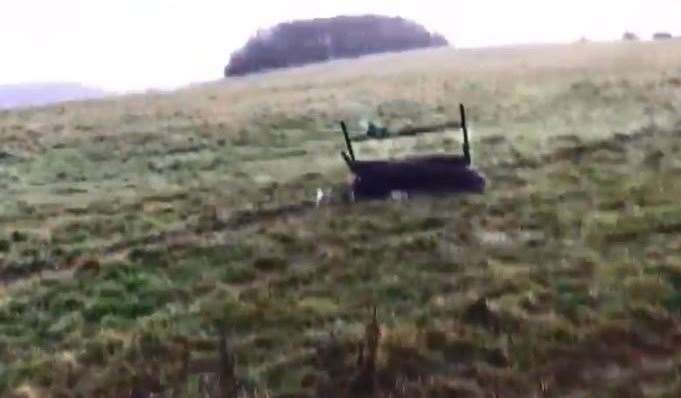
x,y
137,44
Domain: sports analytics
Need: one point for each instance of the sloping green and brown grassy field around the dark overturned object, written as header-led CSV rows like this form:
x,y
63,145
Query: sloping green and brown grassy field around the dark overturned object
x,y
134,230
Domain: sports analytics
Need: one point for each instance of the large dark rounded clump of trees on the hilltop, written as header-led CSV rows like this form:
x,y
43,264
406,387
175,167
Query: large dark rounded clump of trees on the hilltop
x,y
303,42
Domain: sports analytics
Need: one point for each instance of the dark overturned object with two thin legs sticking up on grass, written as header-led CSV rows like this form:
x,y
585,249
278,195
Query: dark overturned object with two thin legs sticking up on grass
x,y
423,174
